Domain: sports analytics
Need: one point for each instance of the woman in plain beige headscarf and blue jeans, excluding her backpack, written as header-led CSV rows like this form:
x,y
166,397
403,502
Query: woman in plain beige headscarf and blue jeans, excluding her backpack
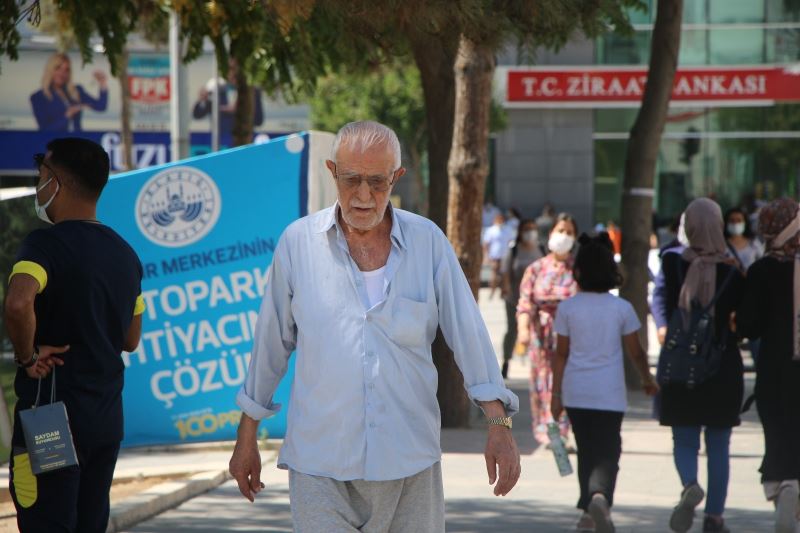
x,y
695,275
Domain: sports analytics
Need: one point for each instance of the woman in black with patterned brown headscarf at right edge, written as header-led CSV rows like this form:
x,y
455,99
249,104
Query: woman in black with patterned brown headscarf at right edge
x,y
771,311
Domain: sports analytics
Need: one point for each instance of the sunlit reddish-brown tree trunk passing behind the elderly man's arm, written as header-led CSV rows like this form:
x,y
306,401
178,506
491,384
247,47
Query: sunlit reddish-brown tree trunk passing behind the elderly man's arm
x,y
468,167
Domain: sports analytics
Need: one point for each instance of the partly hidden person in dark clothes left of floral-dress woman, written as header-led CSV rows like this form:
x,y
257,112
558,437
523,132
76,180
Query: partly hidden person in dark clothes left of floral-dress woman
x,y
525,250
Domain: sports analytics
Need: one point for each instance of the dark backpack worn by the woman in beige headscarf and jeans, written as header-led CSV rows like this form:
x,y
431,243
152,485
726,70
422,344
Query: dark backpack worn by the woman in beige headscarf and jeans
x,y
692,354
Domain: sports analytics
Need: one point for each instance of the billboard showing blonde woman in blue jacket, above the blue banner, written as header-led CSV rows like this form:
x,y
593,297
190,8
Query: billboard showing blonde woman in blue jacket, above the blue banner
x,y
45,95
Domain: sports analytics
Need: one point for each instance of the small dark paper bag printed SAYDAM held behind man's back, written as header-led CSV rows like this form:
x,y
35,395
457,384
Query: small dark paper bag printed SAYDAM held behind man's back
x,y
48,436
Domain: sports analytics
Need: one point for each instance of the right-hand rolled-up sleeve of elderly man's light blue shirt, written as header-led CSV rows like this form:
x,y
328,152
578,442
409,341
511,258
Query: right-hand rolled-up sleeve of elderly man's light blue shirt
x,y
466,334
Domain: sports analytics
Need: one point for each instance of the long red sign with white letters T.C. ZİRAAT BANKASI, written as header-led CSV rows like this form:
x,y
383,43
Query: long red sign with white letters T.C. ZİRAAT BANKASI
x,y
589,86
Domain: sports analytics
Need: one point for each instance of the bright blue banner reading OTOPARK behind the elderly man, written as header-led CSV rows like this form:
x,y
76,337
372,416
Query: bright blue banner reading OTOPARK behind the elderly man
x,y
205,230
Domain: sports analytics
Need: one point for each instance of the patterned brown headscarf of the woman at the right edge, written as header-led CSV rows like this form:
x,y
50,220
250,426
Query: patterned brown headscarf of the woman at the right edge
x,y
779,223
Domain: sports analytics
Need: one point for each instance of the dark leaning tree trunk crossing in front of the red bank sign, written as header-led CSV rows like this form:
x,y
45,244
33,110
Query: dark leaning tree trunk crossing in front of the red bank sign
x,y
640,163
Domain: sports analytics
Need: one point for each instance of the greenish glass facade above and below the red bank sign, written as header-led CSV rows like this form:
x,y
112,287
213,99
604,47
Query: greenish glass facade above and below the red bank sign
x,y
738,155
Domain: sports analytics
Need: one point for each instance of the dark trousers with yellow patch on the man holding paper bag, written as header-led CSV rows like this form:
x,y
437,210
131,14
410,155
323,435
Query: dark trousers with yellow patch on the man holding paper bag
x,y
70,500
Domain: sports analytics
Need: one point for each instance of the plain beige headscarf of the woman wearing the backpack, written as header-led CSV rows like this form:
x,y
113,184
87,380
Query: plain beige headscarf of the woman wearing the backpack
x,y
703,221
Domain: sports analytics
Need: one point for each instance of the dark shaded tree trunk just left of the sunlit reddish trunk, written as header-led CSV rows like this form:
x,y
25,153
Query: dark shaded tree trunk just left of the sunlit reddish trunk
x,y
435,56
